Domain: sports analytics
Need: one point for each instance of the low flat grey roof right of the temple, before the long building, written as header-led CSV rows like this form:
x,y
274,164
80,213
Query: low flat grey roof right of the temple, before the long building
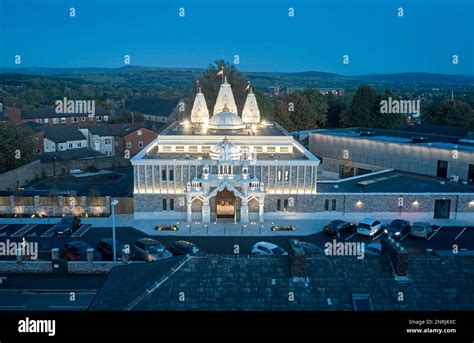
x,y
395,182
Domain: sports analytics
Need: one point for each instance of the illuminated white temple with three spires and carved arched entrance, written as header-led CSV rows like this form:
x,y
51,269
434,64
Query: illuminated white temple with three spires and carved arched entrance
x,y
224,167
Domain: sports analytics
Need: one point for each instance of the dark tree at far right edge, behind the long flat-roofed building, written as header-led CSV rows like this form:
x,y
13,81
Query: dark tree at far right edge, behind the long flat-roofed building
x,y
450,113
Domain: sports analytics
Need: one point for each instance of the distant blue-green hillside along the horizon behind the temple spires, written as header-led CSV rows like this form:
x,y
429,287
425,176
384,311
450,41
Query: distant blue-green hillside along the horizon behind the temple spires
x,y
182,78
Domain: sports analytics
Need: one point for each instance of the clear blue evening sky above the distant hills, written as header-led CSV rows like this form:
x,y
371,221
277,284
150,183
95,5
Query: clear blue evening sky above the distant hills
x,y
259,31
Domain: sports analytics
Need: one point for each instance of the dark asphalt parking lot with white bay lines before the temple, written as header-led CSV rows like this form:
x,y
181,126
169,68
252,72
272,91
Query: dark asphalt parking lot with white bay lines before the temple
x,y
443,238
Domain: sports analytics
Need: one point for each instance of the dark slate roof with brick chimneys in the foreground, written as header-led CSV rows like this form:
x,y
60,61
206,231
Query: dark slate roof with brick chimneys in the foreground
x,y
264,283
